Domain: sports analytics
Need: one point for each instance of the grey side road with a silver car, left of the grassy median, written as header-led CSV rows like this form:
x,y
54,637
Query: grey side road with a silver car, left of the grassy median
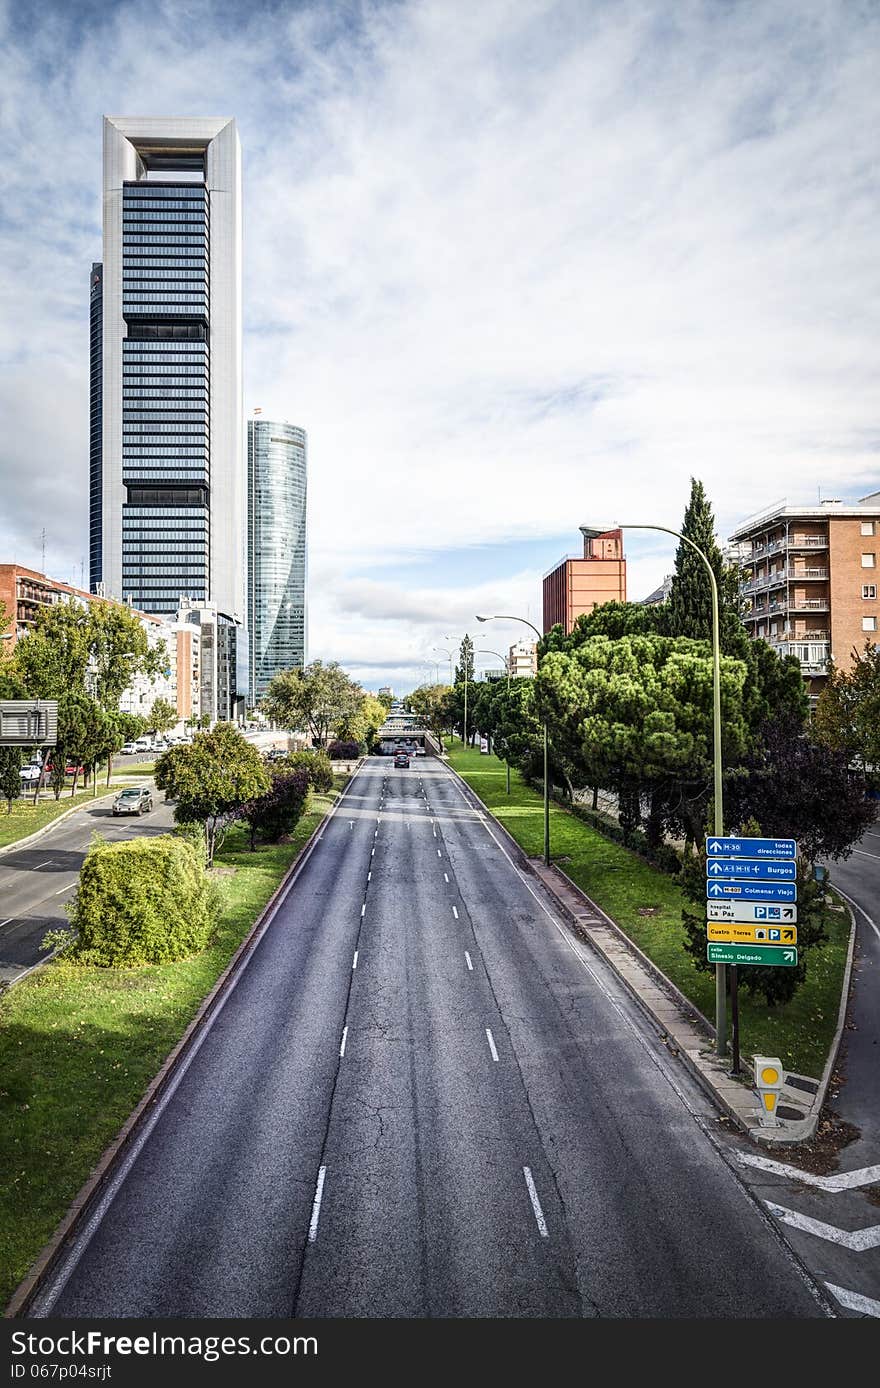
x,y
35,882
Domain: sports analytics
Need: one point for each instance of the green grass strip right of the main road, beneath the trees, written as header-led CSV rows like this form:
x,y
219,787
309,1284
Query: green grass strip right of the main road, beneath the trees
x,y
624,885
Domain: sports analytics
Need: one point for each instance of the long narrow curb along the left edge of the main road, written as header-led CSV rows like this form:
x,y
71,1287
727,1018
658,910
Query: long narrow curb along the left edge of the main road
x,y
81,1204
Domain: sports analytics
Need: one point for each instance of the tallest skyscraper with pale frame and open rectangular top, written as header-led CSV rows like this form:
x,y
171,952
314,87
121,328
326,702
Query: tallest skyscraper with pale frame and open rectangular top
x,y
171,449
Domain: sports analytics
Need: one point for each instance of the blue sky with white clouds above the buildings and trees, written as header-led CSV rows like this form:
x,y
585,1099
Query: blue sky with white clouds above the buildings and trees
x,y
517,266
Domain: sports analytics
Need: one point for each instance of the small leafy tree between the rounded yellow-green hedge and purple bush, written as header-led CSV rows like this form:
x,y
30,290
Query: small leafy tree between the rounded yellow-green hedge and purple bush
x,y
213,781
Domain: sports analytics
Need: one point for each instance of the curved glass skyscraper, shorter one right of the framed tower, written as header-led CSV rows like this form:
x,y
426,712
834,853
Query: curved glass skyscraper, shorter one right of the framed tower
x,y
276,550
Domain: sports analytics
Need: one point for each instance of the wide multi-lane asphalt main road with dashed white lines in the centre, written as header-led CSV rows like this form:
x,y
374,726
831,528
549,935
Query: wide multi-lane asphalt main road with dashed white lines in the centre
x,y
425,1099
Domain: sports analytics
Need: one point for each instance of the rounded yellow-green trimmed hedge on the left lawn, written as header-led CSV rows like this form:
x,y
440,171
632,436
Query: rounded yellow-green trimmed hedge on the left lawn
x,y
142,902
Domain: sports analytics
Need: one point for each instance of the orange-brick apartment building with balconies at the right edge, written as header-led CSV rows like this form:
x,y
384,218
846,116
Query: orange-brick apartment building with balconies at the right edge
x,y
810,579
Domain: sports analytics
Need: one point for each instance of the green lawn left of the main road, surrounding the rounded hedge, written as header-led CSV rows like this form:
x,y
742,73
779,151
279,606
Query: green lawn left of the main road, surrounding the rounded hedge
x,y
80,1046
